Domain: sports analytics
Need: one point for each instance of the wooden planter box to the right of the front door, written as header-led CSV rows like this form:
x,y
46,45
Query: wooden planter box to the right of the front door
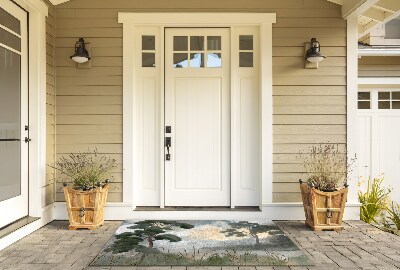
x,y
323,210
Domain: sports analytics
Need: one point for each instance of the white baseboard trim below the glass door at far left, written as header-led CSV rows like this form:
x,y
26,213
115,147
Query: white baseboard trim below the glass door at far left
x,y
47,216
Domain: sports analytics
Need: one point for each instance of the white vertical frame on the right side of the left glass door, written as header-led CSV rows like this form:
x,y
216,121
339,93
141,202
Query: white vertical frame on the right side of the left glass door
x,y
37,12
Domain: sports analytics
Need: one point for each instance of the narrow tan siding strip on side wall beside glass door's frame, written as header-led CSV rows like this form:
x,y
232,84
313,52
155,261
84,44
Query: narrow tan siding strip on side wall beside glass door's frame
x,y
50,106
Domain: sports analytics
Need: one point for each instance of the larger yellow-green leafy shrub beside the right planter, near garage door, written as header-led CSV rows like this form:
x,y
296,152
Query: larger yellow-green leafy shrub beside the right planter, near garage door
x,y
374,200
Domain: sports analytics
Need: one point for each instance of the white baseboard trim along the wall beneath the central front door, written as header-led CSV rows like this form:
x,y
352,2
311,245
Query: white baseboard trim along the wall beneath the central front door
x,y
270,211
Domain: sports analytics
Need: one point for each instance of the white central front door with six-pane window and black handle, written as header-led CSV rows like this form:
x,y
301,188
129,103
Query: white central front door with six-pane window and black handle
x,y
197,110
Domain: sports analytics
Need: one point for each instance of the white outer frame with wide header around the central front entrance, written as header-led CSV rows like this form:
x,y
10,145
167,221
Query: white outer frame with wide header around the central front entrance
x,y
131,127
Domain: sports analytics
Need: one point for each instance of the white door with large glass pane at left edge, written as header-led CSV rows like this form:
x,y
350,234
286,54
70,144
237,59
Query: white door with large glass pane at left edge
x,y
13,113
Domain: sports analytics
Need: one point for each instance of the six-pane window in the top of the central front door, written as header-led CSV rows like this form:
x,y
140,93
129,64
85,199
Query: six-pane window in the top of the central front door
x,y
197,52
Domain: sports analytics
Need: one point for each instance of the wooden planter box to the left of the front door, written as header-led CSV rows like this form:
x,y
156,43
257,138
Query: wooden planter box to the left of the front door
x,y
86,208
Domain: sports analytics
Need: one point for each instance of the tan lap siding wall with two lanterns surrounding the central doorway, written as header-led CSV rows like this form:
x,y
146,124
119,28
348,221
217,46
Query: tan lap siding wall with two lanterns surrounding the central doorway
x,y
309,104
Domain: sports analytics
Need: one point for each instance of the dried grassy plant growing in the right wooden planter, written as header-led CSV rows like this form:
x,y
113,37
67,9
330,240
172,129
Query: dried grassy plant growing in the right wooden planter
x,y
326,167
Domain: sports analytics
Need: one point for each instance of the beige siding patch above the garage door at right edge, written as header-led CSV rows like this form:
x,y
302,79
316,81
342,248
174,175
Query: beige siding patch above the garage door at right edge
x,y
379,66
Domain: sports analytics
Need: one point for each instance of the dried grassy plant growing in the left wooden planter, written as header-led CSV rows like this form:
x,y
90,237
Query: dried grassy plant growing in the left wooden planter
x,y
85,169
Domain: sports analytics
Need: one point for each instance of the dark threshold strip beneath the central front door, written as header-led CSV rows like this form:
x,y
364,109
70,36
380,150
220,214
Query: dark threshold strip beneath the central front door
x,y
205,208
